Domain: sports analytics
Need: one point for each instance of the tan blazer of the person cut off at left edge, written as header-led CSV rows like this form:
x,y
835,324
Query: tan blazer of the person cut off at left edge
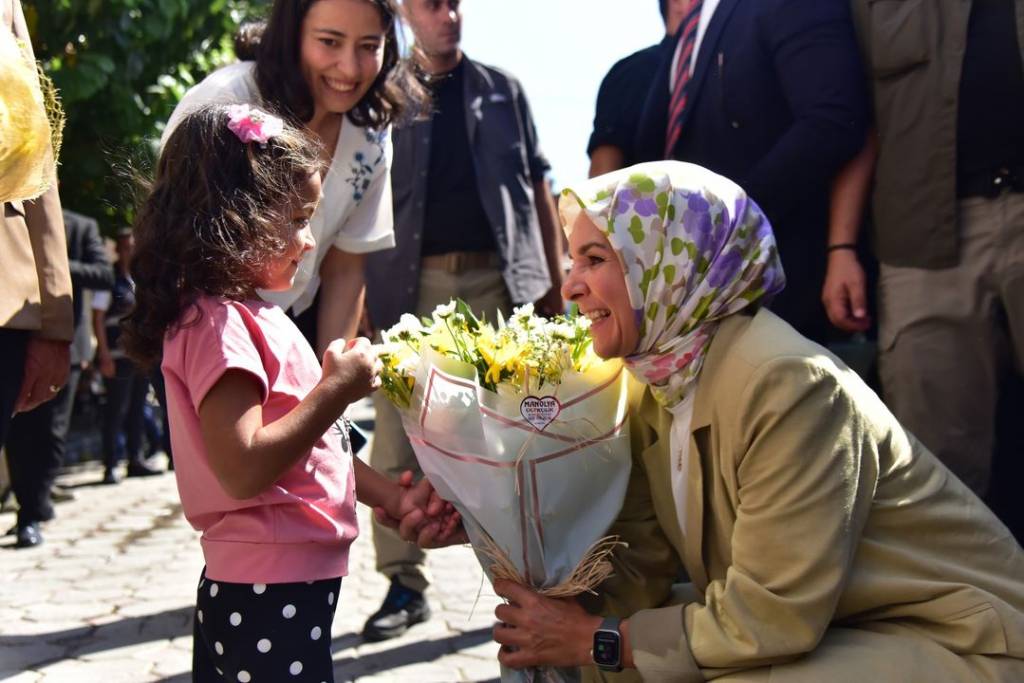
x,y
35,282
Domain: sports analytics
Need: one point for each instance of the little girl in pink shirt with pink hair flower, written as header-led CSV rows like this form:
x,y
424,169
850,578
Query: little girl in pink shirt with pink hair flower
x,y
264,471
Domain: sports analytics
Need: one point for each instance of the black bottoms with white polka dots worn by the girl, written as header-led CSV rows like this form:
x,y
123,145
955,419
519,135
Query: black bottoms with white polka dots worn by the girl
x,y
264,632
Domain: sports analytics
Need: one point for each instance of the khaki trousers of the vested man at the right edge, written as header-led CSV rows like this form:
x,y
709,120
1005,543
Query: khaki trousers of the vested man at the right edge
x,y
948,338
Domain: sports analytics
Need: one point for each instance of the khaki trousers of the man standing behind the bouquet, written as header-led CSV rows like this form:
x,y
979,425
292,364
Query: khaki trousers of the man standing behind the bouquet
x,y
392,454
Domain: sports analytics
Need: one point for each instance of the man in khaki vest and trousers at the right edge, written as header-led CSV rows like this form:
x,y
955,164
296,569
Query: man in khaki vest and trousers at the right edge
x,y
948,208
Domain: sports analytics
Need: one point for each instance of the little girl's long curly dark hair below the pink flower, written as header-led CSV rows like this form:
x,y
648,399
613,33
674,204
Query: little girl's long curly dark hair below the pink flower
x,y
218,211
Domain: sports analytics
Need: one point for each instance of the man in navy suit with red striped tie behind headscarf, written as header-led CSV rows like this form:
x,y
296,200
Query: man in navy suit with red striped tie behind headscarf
x,y
773,96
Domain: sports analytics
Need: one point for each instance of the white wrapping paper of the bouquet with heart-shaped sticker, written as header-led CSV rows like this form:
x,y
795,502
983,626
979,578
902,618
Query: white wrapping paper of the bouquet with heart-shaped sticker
x,y
542,475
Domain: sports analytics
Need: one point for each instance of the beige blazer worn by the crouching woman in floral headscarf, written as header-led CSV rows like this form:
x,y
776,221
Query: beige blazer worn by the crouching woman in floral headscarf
x,y
823,541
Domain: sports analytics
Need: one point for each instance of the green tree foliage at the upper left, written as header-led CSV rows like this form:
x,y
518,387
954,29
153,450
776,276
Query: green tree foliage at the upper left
x,y
121,66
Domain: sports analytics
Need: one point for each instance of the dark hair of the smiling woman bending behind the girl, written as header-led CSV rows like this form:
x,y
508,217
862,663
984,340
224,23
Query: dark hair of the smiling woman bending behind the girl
x,y
396,96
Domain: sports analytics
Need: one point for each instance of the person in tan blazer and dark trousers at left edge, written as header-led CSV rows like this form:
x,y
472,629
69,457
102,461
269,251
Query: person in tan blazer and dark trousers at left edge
x,y
36,325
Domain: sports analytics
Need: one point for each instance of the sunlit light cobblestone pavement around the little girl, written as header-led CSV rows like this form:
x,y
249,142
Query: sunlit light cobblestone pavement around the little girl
x,y
109,597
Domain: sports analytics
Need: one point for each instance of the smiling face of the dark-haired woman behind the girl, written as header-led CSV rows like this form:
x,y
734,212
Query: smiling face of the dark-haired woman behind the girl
x,y
343,52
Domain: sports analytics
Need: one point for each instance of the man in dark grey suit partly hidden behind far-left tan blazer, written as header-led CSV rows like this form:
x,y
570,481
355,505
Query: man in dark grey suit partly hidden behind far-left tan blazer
x,y
36,441
